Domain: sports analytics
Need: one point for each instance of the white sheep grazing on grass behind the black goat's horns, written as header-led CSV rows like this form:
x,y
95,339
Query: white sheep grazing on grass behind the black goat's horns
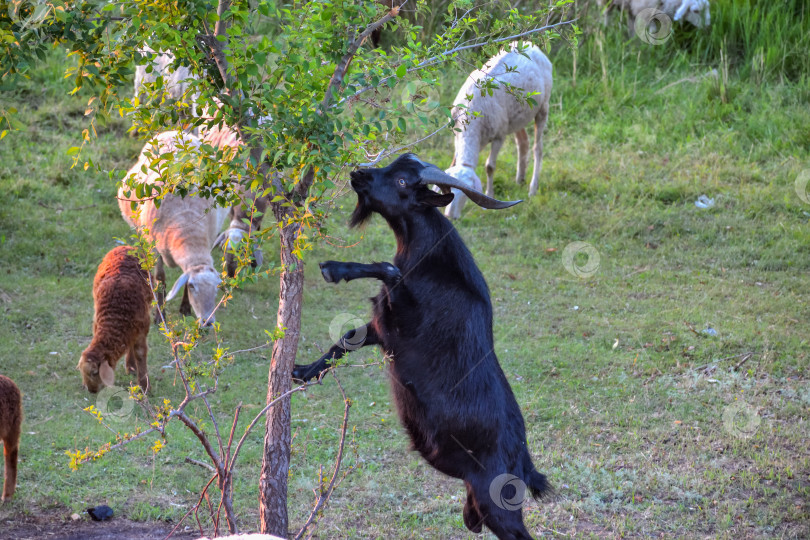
x,y
520,72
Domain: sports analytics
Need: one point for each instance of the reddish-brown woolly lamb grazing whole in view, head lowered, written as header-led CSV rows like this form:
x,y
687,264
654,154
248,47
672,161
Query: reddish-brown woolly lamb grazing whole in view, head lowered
x,y
122,296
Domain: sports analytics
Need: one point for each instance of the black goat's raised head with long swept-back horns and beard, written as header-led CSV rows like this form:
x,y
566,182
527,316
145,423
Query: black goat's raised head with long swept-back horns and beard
x,y
402,188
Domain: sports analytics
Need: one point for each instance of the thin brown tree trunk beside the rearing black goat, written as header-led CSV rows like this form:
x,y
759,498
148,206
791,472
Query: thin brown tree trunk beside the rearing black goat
x,y
276,459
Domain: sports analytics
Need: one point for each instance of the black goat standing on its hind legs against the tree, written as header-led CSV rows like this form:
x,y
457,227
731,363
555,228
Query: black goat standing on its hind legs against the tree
x,y
433,319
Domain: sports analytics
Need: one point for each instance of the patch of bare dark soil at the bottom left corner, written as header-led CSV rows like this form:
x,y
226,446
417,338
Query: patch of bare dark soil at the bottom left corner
x,y
55,528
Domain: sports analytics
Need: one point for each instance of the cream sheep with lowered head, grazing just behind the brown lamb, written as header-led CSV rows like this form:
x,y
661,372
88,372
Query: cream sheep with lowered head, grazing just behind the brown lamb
x,y
183,228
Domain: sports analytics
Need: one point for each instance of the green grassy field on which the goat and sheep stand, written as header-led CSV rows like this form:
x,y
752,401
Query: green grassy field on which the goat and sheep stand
x,y
645,422
